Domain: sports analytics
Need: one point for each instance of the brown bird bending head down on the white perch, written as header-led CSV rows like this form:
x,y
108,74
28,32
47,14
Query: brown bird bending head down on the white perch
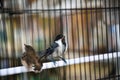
x,y
31,59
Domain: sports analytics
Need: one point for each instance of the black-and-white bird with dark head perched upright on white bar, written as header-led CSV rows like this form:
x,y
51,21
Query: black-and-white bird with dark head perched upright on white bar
x,y
56,49
